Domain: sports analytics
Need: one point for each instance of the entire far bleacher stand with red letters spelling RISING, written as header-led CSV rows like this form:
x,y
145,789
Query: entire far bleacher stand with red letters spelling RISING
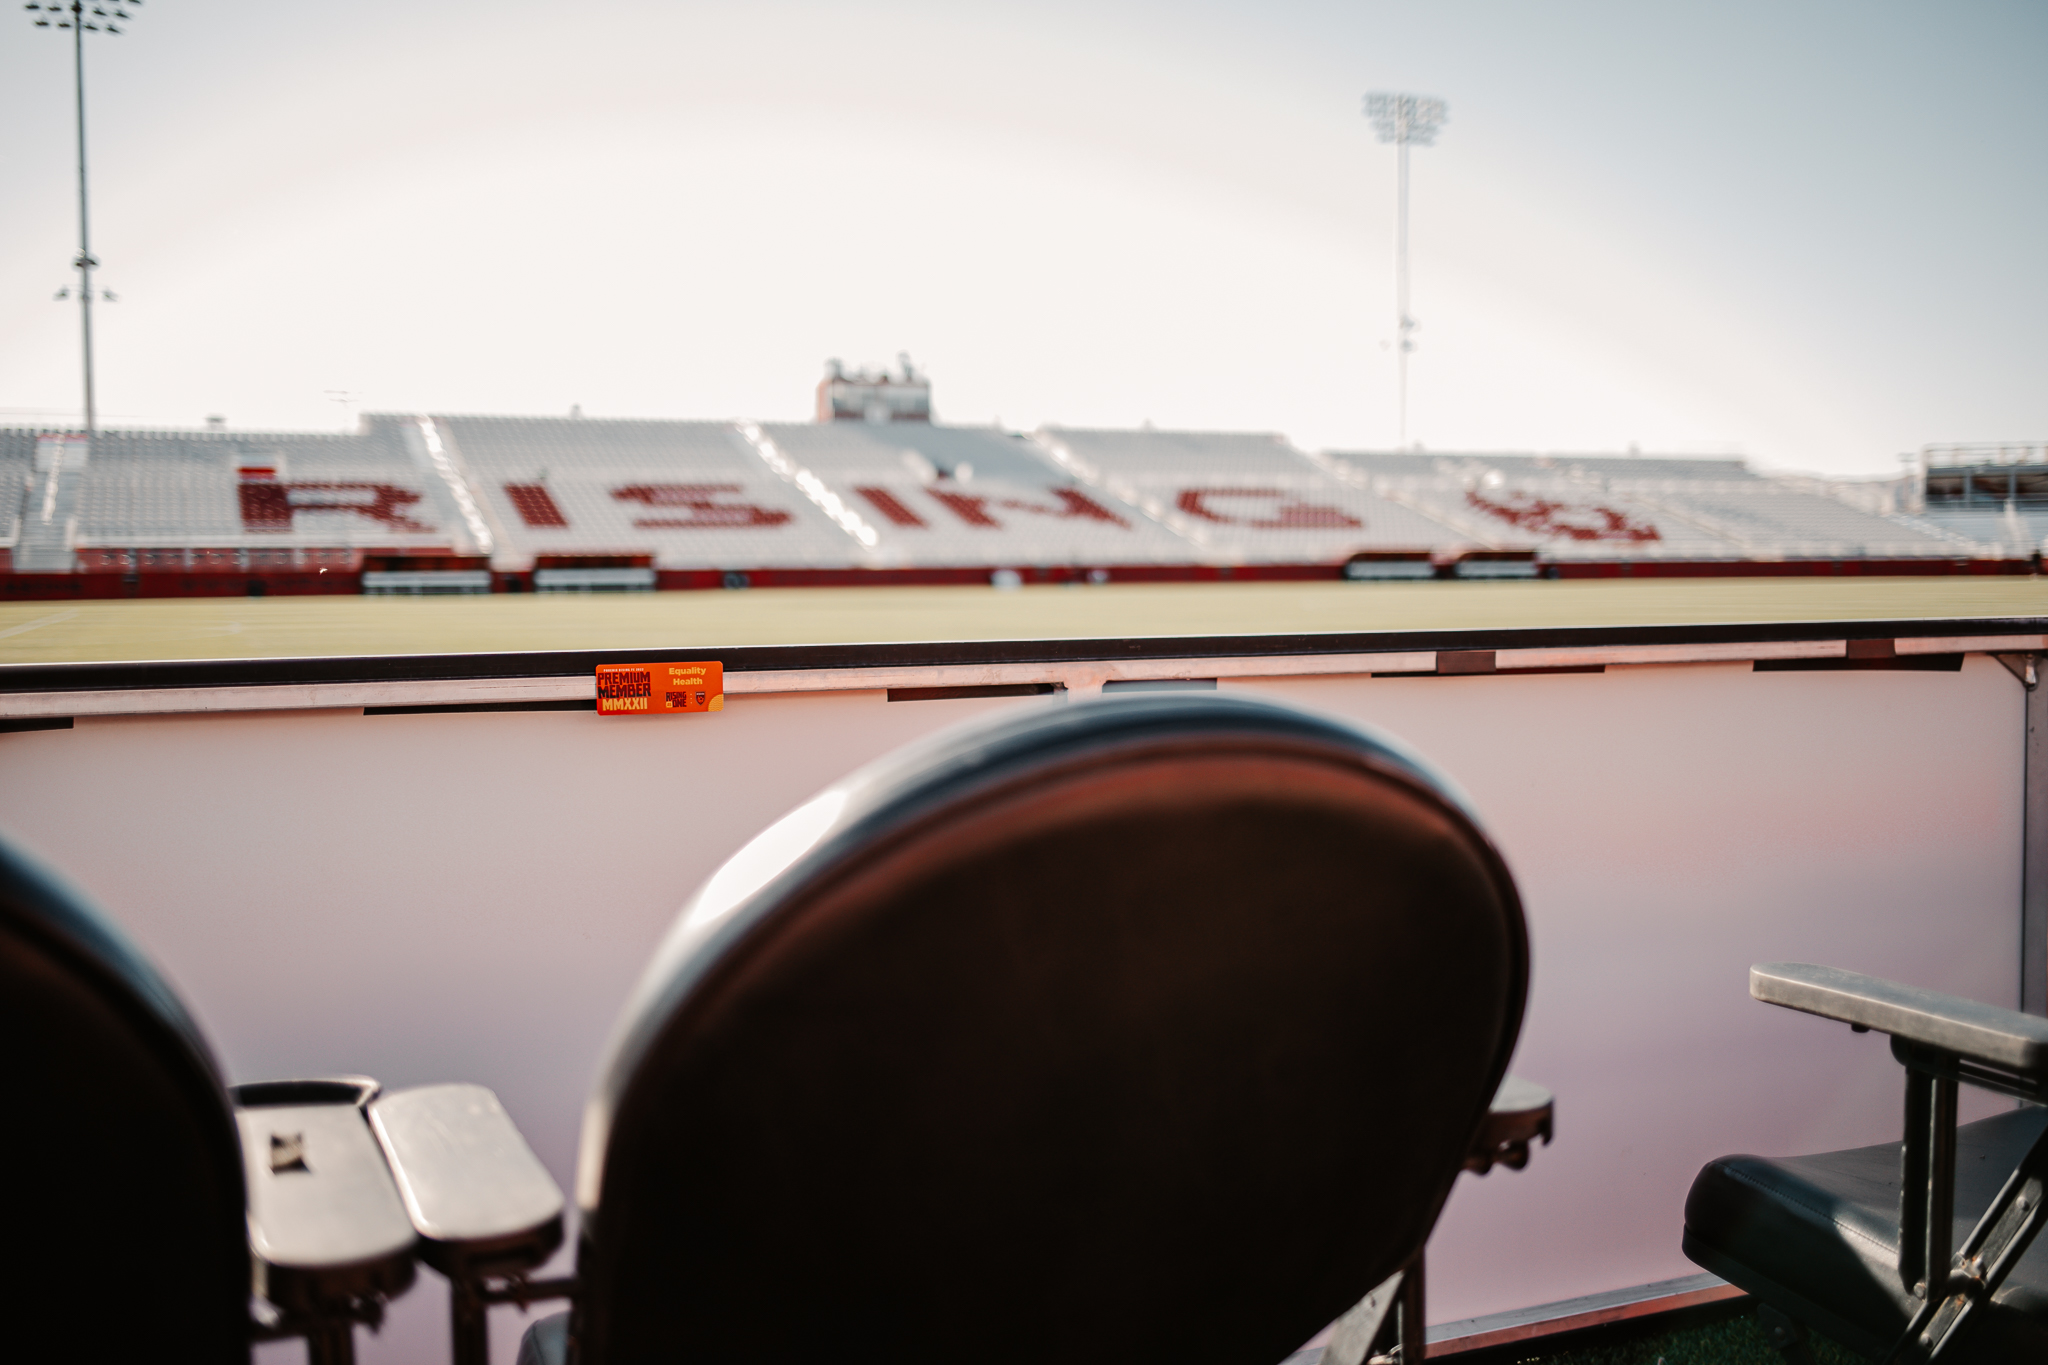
x,y
609,502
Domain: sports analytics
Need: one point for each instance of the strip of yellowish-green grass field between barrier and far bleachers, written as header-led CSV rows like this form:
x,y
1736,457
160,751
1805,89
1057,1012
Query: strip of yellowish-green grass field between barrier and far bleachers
x,y
286,627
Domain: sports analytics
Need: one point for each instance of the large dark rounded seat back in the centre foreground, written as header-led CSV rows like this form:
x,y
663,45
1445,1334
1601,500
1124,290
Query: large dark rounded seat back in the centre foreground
x,y
1140,1028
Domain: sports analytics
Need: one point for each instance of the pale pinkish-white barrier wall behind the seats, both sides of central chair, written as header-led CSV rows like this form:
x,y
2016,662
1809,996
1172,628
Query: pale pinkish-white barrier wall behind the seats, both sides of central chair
x,y
468,897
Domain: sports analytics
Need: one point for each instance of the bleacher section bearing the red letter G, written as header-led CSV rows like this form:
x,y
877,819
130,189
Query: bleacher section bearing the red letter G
x,y
1244,498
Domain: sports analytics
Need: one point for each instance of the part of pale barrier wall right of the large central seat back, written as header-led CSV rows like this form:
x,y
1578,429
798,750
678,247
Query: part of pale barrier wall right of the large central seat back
x,y
1670,828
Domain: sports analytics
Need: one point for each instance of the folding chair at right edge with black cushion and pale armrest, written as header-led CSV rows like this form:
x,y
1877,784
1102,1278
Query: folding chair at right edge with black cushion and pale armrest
x,y
1908,1253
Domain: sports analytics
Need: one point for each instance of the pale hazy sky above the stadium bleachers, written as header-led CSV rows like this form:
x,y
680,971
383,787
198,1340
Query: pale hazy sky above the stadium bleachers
x,y
1811,234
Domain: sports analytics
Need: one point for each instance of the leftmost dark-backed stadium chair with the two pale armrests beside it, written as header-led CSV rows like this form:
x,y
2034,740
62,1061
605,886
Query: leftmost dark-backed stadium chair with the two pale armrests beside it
x,y
155,1221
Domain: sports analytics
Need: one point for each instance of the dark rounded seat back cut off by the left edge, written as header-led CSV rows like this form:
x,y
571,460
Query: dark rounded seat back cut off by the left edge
x,y
126,1208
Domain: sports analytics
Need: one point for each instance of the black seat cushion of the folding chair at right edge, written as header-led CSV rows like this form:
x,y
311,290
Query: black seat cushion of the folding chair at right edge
x,y
1820,1239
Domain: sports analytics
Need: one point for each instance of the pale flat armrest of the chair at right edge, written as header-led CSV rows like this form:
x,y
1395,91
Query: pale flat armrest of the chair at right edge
x,y
2004,1041
